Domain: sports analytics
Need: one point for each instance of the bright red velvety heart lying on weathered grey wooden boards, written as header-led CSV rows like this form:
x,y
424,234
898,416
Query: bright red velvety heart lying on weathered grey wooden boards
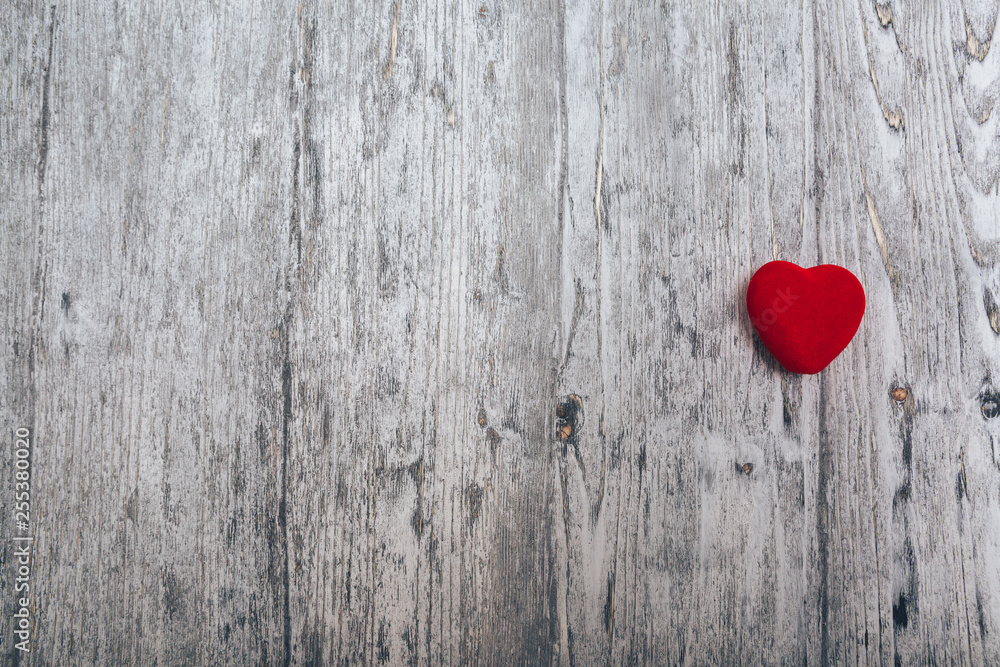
x,y
805,317
